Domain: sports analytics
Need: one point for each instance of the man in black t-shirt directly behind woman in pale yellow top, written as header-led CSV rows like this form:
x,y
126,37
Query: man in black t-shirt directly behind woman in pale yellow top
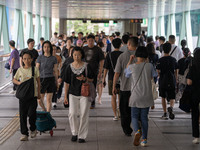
x,y
34,52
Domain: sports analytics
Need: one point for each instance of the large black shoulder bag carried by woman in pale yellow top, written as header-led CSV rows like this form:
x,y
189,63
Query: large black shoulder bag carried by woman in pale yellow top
x,y
25,90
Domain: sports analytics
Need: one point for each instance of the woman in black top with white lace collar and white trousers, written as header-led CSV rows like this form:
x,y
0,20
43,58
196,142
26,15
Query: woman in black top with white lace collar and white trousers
x,y
76,74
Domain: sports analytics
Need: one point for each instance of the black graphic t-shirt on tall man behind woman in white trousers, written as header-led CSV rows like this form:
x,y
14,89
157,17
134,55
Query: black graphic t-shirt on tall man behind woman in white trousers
x,y
93,56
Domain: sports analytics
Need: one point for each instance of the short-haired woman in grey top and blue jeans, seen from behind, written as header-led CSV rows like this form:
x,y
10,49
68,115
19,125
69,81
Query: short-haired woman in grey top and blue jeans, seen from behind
x,y
141,98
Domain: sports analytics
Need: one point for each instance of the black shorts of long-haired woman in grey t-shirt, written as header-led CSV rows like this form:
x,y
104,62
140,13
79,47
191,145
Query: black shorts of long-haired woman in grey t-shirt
x,y
48,85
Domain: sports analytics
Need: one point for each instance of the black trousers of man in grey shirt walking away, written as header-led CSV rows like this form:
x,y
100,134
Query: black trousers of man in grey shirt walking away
x,y
125,112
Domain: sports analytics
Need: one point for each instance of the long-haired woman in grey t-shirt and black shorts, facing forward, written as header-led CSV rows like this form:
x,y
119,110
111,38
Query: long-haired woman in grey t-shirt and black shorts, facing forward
x,y
47,65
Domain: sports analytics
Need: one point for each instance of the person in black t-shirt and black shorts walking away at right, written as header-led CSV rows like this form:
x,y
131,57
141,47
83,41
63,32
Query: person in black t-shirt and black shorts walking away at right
x,y
167,70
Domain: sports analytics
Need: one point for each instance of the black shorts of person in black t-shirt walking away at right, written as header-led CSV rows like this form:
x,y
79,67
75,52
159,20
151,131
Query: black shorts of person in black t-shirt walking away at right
x,y
167,93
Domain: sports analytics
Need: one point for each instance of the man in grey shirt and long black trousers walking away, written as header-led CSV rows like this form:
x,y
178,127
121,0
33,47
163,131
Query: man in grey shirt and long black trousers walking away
x,y
125,85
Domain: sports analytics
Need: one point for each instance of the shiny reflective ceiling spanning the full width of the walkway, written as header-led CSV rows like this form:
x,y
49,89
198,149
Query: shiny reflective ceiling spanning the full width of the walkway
x,y
99,9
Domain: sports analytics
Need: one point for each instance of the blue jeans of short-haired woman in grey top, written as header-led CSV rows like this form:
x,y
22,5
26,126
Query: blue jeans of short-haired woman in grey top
x,y
140,114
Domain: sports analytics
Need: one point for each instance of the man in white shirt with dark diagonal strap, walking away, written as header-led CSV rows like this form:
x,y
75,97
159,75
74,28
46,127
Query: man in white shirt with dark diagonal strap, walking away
x,y
175,52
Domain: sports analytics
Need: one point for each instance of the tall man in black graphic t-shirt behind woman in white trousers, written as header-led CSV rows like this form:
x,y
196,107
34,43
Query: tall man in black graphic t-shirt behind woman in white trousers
x,y
95,57
